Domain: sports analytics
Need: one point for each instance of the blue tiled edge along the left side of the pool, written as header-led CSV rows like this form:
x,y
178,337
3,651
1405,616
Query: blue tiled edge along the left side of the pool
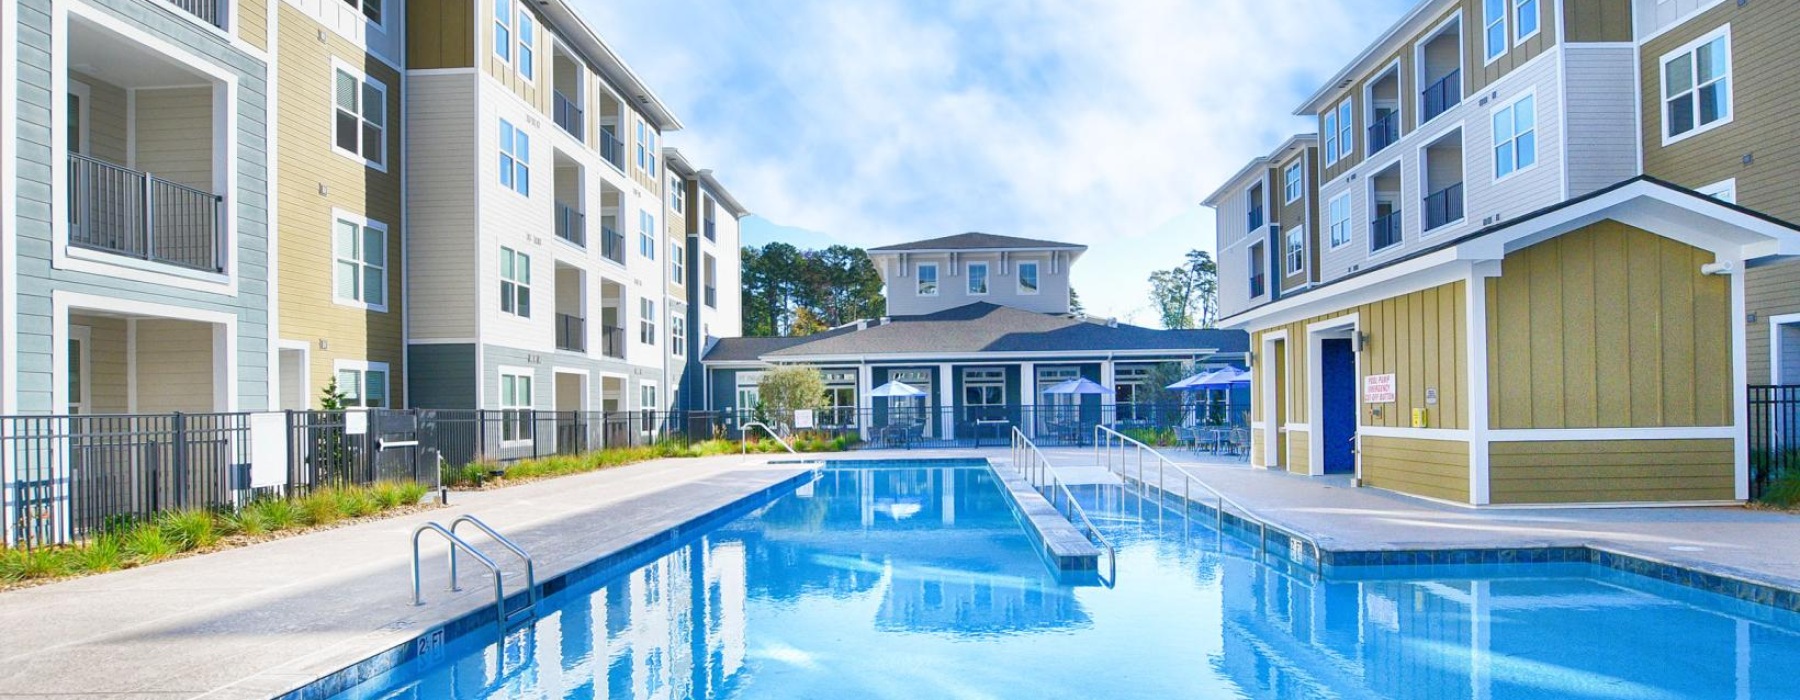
x,y
433,640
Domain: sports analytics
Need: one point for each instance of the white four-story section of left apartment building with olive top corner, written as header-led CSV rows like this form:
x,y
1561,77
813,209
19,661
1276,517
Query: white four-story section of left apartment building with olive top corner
x,y
539,233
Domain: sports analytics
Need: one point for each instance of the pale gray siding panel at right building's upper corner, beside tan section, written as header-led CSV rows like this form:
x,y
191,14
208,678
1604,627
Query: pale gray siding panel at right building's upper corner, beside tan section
x,y
1603,109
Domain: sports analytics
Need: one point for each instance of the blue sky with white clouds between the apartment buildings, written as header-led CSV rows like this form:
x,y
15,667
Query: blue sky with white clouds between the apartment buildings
x,y
1092,121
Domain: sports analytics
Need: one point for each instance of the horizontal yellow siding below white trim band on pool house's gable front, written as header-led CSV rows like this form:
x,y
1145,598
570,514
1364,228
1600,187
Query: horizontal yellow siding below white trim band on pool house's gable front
x,y
1612,472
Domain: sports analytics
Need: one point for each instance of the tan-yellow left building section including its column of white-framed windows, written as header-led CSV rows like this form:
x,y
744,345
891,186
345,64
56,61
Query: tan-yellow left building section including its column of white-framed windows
x,y
339,202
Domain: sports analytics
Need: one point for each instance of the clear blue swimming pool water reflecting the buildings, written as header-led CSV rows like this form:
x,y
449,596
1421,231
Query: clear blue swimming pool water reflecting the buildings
x,y
919,584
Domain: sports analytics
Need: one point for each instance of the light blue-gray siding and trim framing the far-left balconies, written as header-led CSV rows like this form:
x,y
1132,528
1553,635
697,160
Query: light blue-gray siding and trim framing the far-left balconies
x,y
35,213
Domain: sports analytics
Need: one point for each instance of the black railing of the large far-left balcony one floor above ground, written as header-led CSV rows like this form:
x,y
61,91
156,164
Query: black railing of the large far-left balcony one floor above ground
x,y
143,217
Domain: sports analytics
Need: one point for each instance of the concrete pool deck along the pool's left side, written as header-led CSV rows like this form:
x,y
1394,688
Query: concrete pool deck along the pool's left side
x,y
256,622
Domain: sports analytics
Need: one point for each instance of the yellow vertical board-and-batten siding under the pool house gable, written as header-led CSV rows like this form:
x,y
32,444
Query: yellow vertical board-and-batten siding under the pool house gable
x,y
1608,327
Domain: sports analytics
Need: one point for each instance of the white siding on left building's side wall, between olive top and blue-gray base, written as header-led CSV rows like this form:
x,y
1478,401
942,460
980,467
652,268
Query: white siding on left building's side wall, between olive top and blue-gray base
x,y
442,206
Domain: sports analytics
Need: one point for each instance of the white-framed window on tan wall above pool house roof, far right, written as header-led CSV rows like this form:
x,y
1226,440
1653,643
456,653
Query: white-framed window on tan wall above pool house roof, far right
x,y
1698,87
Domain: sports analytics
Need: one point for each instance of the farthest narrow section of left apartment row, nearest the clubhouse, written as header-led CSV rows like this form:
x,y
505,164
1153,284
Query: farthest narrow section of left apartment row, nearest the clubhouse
x,y
714,269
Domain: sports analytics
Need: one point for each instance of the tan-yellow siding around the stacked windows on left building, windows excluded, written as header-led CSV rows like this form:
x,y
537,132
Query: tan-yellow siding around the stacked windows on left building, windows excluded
x,y
307,258
